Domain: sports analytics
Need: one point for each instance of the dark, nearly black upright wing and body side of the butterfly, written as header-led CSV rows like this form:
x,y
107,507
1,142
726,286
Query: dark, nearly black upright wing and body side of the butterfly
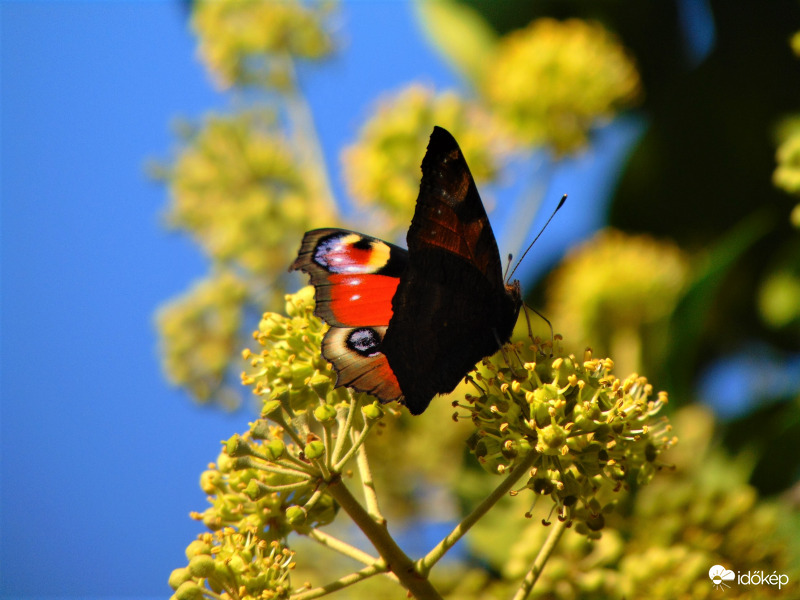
x,y
451,307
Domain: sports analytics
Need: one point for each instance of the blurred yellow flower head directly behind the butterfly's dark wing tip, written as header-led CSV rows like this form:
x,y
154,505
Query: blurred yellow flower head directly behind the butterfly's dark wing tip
x,y
383,167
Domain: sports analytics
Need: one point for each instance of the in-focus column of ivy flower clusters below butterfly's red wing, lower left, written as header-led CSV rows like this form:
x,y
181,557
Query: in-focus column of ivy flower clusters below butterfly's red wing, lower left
x,y
272,480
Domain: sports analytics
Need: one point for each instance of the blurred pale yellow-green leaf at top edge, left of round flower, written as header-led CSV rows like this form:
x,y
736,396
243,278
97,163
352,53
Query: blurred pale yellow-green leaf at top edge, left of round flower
x,y
460,34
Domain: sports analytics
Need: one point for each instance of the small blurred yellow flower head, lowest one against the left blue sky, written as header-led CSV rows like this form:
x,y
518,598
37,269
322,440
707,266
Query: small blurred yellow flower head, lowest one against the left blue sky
x,y
199,333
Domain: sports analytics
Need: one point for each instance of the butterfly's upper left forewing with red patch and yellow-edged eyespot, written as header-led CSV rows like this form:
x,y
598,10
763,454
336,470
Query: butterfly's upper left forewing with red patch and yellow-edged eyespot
x,y
355,276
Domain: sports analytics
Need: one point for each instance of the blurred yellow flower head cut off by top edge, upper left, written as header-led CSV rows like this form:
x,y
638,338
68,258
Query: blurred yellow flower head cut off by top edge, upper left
x,y
251,41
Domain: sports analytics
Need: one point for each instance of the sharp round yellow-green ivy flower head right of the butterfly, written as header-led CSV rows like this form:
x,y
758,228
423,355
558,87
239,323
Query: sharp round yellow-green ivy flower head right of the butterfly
x,y
584,432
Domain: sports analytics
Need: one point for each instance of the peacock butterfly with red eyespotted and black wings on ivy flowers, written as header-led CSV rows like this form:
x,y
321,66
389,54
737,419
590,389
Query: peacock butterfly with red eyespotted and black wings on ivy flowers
x,y
407,325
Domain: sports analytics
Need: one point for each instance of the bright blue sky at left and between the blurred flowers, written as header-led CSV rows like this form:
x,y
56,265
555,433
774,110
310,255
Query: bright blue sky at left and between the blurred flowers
x,y
100,457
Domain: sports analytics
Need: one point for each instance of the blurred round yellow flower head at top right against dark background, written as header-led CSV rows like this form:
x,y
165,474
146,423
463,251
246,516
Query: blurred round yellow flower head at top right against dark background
x,y
553,80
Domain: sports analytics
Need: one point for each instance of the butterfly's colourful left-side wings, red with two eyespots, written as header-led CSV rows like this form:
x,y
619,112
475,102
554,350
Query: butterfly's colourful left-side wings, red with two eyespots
x,y
355,277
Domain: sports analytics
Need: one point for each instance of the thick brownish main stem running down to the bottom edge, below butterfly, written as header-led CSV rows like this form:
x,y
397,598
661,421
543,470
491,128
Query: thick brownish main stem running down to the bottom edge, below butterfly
x,y
377,533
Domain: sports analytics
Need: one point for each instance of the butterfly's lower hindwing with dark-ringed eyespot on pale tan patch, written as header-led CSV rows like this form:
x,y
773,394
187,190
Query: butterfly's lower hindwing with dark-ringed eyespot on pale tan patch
x,y
359,363
